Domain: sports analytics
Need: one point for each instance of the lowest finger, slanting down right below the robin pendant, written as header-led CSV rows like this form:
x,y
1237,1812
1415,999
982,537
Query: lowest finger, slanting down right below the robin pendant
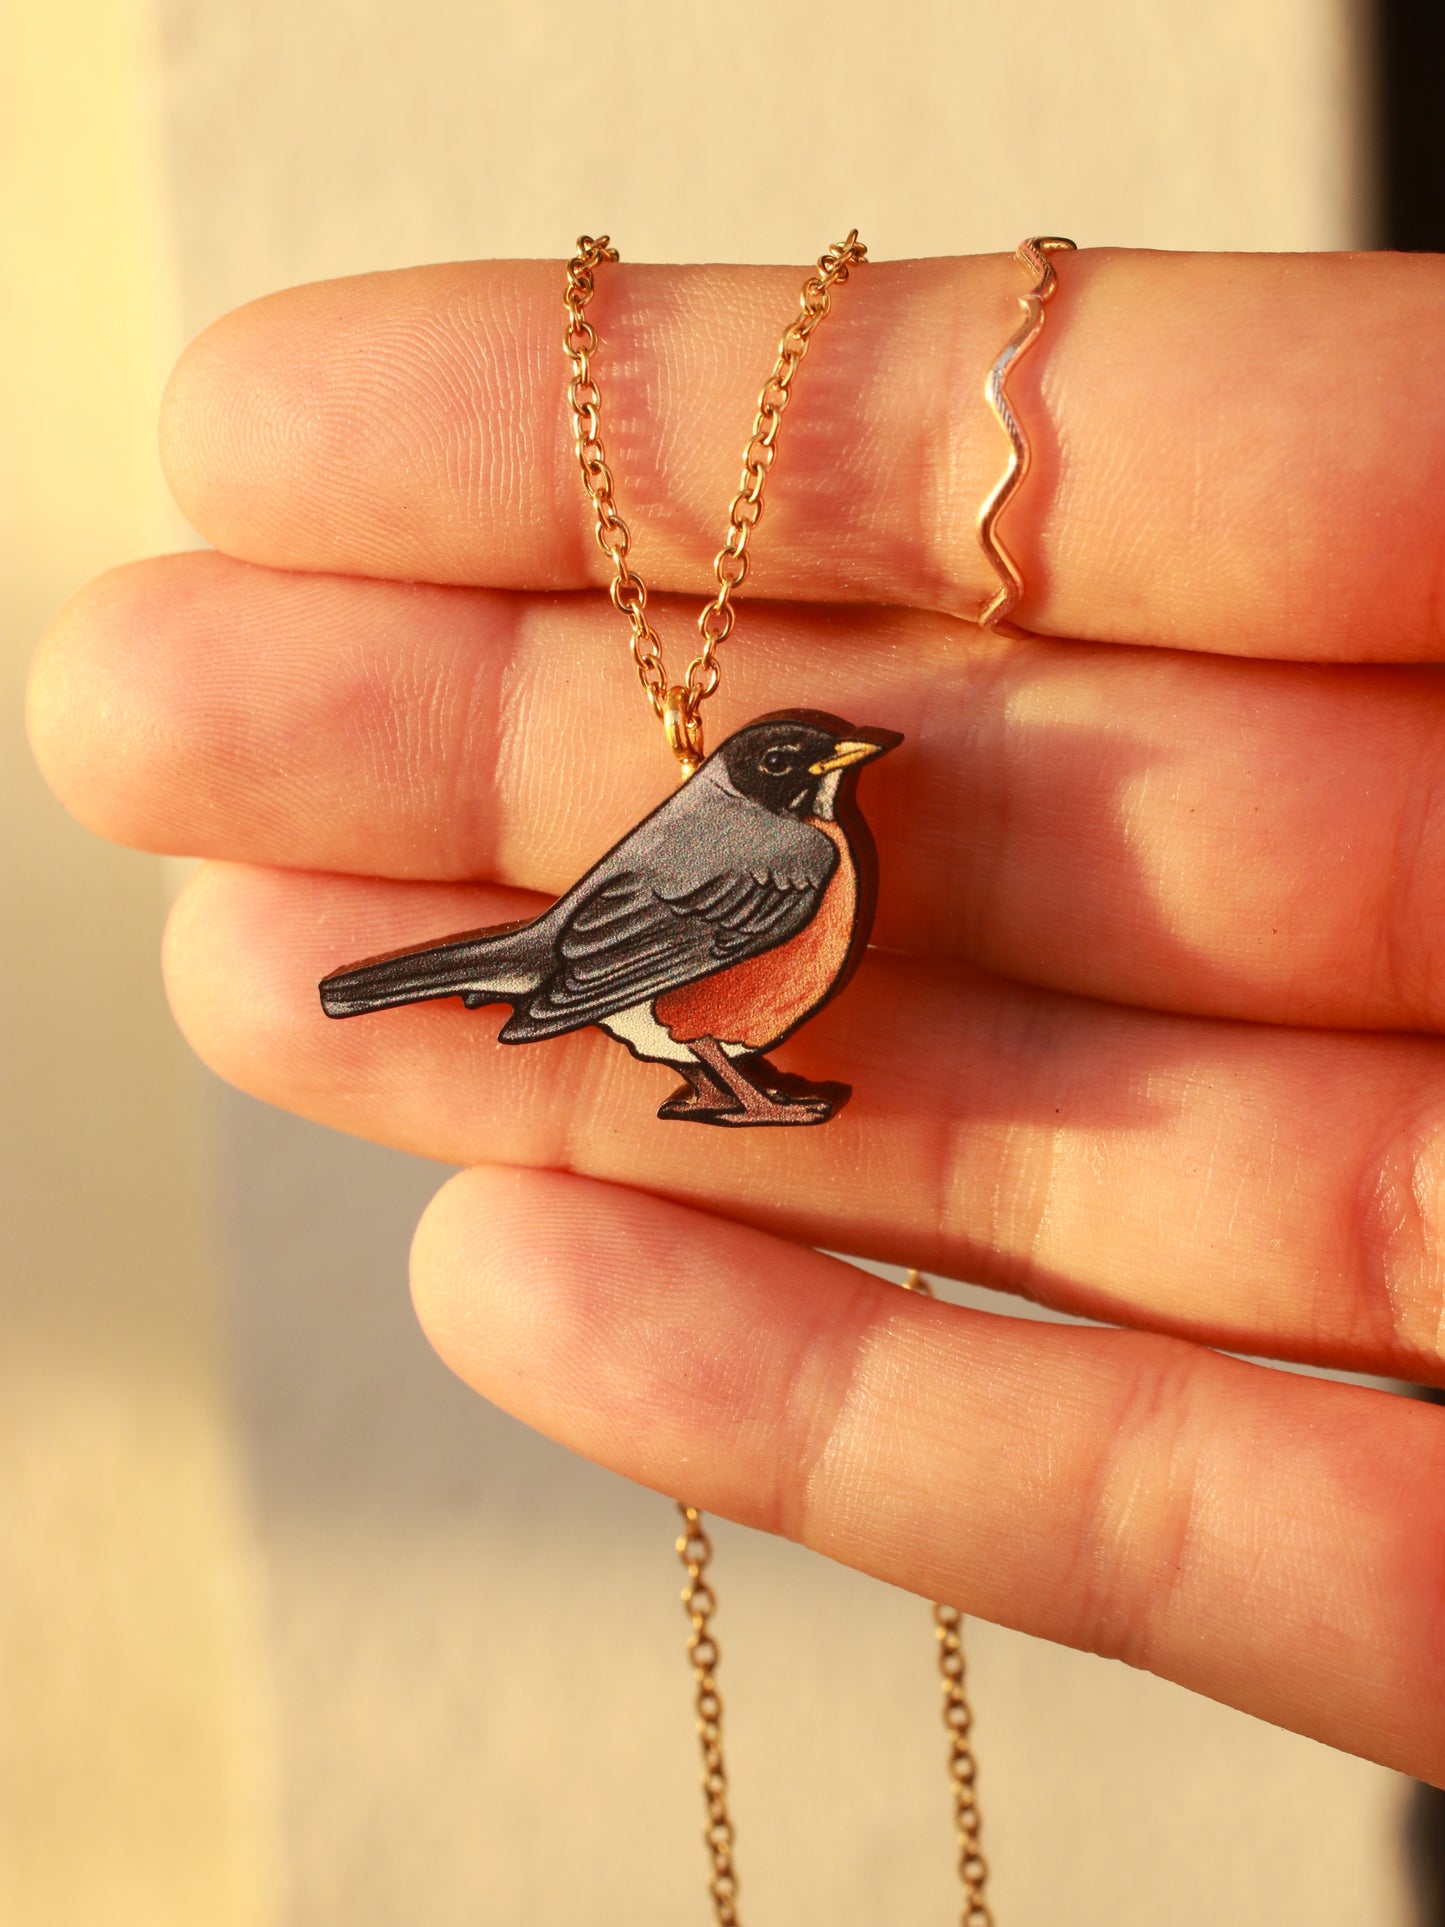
x,y
1269,1541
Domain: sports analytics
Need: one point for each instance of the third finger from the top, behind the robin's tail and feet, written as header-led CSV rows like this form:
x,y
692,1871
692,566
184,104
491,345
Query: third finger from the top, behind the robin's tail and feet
x,y
1269,1192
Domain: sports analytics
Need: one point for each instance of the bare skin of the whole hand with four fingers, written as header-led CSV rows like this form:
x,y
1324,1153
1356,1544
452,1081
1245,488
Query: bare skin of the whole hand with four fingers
x,y
1153,1032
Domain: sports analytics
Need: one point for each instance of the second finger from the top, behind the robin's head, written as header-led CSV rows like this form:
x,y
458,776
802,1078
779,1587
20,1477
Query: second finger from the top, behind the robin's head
x,y
1236,839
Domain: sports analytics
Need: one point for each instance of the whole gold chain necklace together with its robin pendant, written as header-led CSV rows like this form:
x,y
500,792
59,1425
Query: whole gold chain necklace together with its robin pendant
x,y
704,939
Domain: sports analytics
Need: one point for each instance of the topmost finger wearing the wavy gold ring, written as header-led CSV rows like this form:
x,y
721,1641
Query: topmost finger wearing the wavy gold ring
x,y
1230,454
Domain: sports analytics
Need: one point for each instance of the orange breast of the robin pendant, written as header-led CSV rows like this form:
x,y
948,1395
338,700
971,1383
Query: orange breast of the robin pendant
x,y
760,1001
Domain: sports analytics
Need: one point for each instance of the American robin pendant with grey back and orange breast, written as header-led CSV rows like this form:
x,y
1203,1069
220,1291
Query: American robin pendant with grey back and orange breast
x,y
704,939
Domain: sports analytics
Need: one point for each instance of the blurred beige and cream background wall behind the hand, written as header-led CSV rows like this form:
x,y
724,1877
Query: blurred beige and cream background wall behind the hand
x,y
296,1631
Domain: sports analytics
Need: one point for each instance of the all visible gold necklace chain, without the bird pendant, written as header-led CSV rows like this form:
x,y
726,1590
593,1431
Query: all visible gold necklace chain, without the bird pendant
x,y
679,708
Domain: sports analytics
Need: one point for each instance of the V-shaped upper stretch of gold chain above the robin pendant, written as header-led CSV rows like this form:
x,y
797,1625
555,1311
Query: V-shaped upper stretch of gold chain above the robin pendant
x,y
616,541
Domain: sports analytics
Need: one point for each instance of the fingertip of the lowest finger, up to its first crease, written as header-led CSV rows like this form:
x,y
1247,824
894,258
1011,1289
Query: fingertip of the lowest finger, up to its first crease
x,y
666,1344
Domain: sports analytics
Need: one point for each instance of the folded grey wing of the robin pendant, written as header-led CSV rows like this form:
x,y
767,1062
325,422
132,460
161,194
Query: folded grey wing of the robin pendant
x,y
695,911
